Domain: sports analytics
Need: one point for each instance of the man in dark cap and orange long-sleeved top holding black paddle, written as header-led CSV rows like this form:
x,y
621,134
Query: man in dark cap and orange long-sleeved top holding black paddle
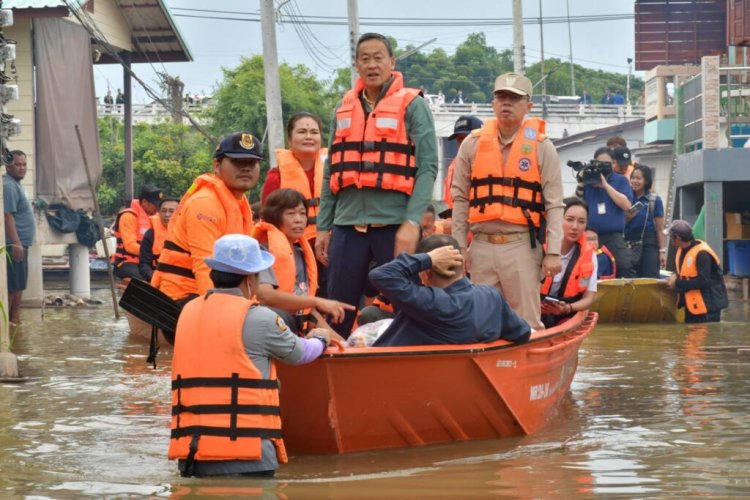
x,y
213,206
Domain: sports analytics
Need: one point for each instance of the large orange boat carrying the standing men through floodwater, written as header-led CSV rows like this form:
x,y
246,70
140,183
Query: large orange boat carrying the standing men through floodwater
x,y
370,398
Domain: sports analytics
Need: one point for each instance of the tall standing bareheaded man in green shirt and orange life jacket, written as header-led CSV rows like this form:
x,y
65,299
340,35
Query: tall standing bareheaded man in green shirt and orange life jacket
x,y
378,178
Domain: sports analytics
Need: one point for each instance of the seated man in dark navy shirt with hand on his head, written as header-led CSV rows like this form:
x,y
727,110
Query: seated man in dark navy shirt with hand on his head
x,y
448,308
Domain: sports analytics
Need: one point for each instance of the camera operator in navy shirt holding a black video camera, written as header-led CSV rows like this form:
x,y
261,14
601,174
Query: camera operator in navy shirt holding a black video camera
x,y
608,198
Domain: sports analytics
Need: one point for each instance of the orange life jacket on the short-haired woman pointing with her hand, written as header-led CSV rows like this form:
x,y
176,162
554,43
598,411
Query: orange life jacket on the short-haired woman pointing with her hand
x,y
284,267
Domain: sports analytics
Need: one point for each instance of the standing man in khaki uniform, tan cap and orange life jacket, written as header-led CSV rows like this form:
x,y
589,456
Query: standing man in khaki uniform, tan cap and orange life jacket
x,y
506,182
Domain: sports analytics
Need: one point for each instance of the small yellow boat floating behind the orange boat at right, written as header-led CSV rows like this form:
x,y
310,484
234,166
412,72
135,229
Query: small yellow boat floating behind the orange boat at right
x,y
639,300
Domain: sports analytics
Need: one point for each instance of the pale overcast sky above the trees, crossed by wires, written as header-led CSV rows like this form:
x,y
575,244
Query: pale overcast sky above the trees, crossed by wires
x,y
215,43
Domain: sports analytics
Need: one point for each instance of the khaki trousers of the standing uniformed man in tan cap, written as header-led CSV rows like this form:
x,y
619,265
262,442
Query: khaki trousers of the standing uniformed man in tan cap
x,y
513,268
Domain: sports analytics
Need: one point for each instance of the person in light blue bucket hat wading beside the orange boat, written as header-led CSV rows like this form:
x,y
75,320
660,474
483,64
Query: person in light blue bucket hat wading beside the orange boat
x,y
225,395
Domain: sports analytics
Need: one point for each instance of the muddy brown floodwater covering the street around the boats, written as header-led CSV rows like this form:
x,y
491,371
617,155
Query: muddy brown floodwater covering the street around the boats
x,y
652,412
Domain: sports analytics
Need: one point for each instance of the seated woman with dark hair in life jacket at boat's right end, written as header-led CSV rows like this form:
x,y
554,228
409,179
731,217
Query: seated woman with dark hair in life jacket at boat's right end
x,y
572,289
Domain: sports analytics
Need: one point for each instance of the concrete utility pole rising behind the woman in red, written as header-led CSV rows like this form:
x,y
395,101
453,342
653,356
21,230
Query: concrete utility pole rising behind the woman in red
x,y
273,84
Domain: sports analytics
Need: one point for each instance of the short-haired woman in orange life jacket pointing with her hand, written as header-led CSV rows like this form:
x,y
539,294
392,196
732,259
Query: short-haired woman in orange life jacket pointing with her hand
x,y
282,228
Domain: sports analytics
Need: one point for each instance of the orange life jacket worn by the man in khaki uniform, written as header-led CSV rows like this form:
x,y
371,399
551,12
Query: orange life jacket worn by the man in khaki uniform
x,y
509,190
